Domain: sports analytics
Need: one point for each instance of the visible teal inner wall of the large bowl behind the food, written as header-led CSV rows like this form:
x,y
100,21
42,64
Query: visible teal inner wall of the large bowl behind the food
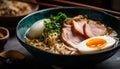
x,y
103,17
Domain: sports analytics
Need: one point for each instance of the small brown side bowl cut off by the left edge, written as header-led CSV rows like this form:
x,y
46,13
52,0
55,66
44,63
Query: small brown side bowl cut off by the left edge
x,y
4,35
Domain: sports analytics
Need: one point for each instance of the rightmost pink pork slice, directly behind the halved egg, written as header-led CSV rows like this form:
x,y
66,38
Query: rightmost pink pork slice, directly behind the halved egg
x,y
93,28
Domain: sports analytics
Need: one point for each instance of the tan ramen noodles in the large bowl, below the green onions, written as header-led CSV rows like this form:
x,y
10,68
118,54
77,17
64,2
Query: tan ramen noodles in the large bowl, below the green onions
x,y
52,44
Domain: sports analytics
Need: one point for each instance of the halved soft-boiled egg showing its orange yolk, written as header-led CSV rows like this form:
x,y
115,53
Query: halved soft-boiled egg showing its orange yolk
x,y
96,44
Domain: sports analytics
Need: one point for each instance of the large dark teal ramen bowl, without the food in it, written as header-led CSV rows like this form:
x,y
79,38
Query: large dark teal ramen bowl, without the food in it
x,y
61,60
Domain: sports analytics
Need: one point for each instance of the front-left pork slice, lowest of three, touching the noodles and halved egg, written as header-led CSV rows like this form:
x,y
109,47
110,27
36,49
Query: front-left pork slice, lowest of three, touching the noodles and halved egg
x,y
71,38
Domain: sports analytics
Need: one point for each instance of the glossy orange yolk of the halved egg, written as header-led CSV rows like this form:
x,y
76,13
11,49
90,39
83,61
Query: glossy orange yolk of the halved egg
x,y
96,43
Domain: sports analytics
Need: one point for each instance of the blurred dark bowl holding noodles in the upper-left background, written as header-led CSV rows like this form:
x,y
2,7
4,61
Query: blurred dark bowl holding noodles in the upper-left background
x,y
11,21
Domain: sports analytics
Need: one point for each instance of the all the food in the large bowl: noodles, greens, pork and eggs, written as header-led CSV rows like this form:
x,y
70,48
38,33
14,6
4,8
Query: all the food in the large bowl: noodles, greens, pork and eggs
x,y
65,35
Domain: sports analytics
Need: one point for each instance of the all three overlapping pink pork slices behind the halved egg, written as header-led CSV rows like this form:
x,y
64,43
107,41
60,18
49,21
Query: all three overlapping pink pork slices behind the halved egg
x,y
77,30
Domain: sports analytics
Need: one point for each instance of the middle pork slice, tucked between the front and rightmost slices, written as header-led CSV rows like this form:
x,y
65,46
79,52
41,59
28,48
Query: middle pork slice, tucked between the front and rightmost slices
x,y
78,26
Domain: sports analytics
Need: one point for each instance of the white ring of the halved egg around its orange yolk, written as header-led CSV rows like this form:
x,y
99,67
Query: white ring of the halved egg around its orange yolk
x,y
83,48
